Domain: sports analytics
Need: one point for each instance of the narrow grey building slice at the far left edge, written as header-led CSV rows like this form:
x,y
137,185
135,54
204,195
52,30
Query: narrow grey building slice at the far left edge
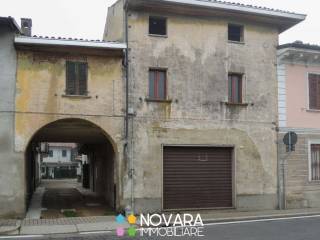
x,y
11,167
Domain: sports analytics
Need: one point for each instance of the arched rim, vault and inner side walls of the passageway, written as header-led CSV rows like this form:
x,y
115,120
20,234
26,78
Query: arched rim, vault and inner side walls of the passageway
x,y
92,137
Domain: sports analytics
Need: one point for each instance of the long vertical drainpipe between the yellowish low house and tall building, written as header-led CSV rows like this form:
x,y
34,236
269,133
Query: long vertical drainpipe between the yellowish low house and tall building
x,y
128,157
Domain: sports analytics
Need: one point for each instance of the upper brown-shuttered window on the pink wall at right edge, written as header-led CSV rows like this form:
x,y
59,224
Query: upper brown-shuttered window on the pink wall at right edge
x,y
314,91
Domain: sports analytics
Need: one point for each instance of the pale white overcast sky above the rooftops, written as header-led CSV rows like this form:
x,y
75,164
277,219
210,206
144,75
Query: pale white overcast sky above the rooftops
x,y
86,18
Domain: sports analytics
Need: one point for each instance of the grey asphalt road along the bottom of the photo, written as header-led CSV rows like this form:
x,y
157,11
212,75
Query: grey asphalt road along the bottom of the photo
x,y
306,228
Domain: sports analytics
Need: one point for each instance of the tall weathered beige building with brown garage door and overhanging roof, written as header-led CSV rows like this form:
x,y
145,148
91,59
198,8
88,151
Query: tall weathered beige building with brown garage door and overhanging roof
x,y
202,102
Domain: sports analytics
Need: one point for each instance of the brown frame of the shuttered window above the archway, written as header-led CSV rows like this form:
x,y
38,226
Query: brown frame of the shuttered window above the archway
x,y
77,80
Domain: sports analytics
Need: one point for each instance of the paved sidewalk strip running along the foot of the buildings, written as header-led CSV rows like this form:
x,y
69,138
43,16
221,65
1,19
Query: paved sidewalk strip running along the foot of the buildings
x,y
108,223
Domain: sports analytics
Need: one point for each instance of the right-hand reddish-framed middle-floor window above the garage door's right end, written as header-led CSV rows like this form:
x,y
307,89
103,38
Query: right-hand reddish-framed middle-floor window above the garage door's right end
x,y
235,88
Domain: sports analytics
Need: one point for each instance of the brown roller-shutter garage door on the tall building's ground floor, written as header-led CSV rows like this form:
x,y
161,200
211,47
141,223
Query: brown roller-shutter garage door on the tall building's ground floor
x,y
197,177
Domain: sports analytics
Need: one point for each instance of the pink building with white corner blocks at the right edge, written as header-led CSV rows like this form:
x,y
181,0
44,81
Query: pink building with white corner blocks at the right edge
x,y
299,111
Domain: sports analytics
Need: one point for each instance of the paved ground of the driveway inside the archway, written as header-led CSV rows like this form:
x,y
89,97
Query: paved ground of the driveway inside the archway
x,y
66,198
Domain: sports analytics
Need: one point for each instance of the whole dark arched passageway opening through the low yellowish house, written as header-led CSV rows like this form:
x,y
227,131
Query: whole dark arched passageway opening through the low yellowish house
x,y
82,178
